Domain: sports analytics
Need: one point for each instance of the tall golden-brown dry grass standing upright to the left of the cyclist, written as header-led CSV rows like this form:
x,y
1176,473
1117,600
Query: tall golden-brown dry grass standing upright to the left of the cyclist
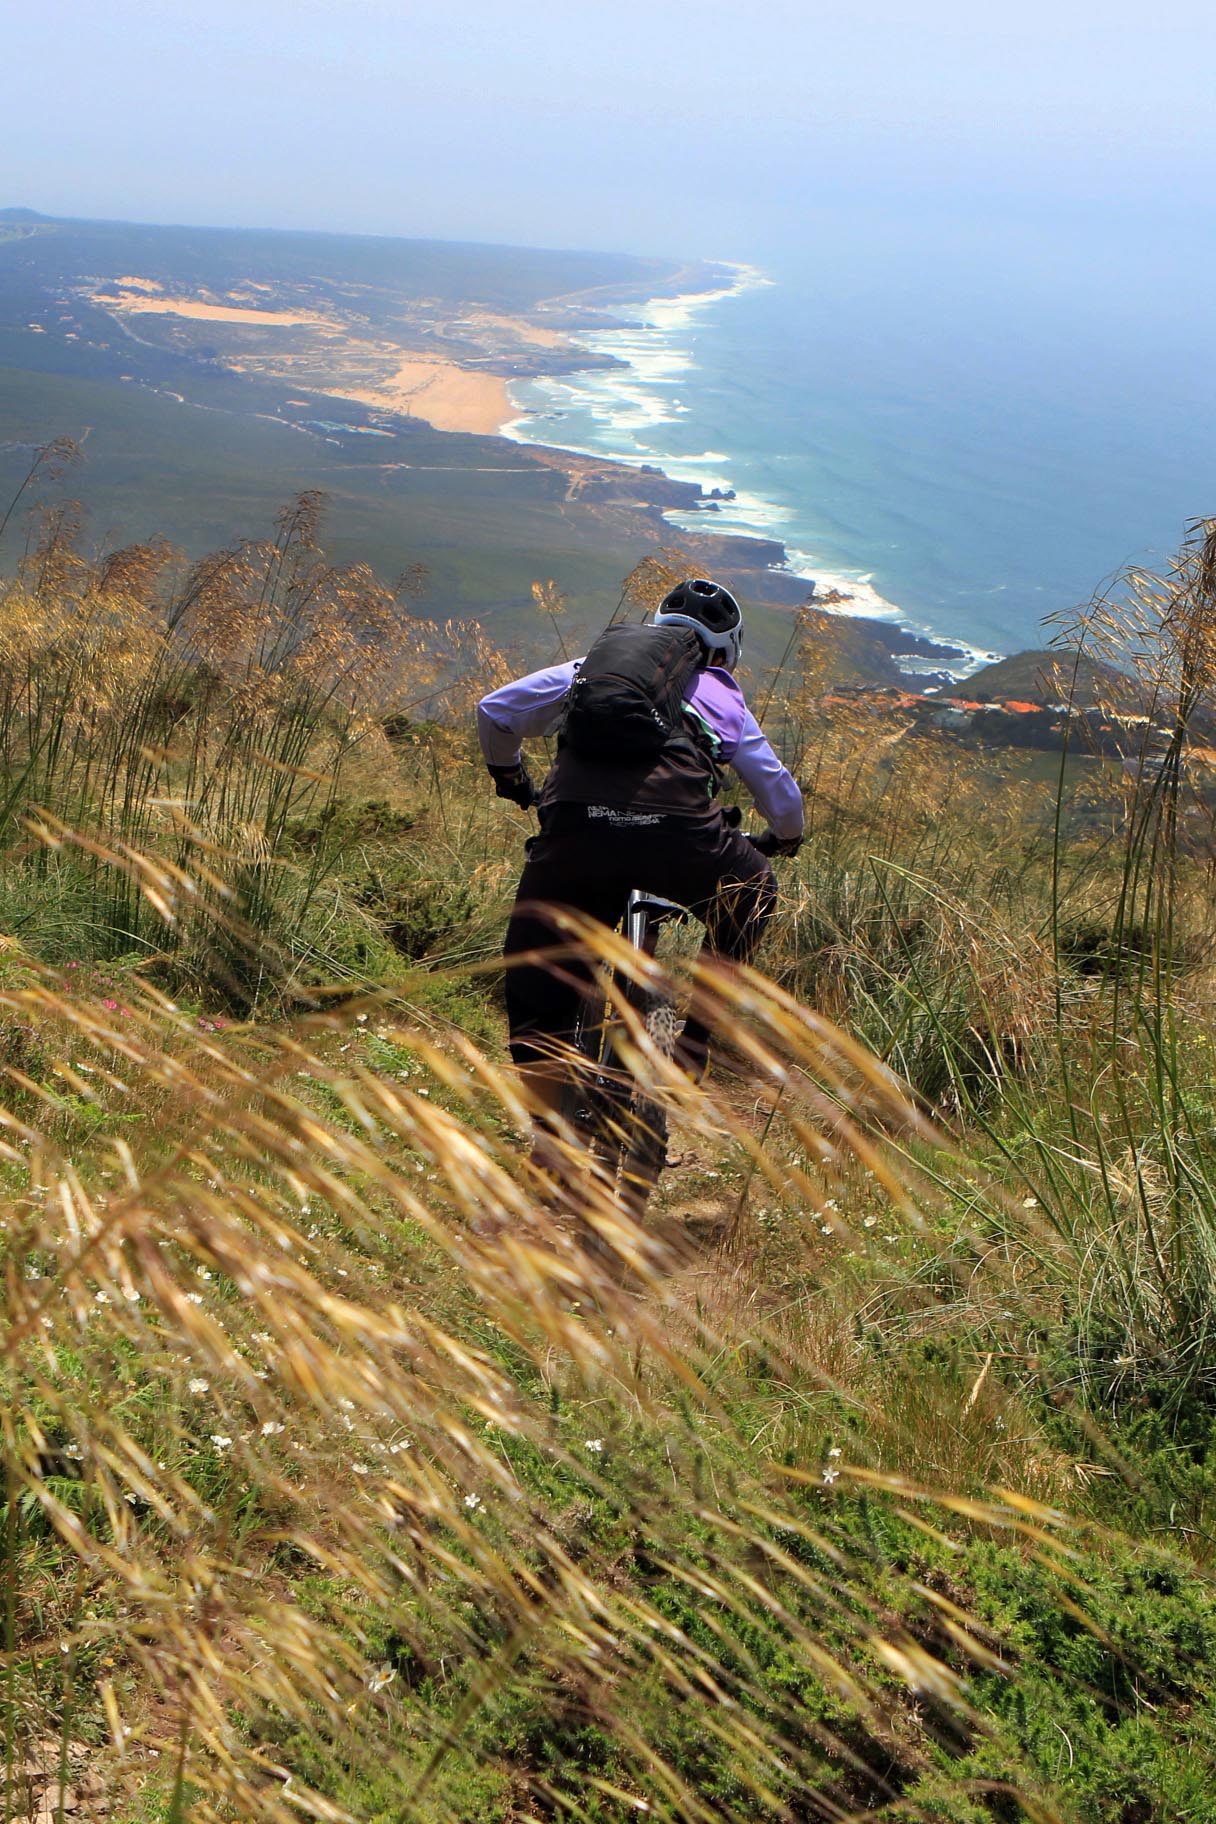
x,y
196,718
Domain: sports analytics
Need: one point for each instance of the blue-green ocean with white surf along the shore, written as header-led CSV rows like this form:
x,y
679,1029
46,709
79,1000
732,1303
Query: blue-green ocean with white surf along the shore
x,y
965,431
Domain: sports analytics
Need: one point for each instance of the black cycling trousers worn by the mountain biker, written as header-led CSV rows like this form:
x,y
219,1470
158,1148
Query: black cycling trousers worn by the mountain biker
x,y
590,860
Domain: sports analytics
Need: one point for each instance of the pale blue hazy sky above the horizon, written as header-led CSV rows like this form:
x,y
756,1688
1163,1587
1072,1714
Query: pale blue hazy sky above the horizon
x,y
697,127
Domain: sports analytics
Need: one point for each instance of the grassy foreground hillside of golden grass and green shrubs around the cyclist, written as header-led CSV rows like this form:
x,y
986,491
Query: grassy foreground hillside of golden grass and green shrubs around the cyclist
x,y
871,1478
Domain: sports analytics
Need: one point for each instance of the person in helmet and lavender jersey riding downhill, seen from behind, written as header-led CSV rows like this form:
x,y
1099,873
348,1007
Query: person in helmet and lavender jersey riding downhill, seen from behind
x,y
613,820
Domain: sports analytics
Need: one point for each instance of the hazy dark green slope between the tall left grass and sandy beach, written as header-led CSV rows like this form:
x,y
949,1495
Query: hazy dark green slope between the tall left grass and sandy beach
x,y
201,479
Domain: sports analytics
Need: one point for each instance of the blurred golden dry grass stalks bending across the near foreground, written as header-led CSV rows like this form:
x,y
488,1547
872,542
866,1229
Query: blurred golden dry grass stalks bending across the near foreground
x,y
325,1442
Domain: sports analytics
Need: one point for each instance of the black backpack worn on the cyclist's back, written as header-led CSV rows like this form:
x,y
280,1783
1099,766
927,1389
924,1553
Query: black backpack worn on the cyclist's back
x,y
626,703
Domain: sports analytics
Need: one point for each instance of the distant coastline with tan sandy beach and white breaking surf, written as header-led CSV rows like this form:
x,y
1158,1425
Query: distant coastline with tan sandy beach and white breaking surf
x,y
586,384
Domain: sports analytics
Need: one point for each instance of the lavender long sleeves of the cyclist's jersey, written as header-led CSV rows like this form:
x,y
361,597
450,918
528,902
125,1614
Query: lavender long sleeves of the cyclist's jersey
x,y
535,707
